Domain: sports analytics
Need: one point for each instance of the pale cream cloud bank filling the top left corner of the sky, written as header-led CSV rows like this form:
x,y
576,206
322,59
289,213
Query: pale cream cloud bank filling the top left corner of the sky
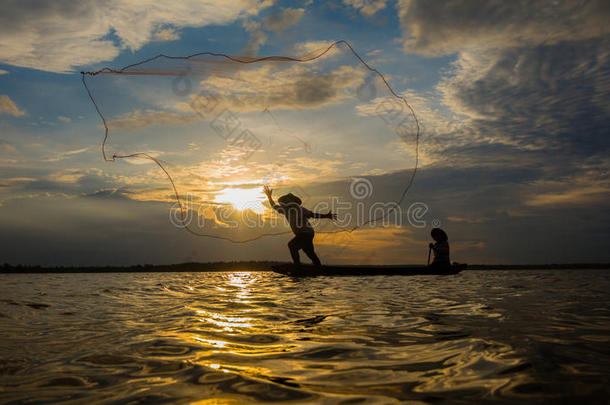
x,y
60,35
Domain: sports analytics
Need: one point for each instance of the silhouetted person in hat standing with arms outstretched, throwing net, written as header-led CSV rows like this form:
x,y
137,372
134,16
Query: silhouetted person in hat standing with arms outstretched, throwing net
x,y
298,218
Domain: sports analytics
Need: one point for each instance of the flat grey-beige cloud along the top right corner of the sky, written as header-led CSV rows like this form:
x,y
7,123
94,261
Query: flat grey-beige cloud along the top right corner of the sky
x,y
449,27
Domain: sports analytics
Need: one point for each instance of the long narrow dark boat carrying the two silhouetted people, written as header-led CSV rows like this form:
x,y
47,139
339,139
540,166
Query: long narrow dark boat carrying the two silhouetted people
x,y
305,270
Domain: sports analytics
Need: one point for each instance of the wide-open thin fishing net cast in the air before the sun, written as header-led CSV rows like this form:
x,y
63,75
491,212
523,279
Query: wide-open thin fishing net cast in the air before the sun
x,y
205,132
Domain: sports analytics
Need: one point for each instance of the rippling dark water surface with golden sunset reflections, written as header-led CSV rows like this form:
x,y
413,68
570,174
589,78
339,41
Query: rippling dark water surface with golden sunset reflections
x,y
240,337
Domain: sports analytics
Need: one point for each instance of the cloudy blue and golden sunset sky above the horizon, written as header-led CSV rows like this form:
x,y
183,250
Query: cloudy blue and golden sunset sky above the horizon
x,y
511,98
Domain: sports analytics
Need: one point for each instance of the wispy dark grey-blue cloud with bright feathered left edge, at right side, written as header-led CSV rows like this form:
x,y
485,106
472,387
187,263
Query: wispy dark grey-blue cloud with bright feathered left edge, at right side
x,y
535,97
